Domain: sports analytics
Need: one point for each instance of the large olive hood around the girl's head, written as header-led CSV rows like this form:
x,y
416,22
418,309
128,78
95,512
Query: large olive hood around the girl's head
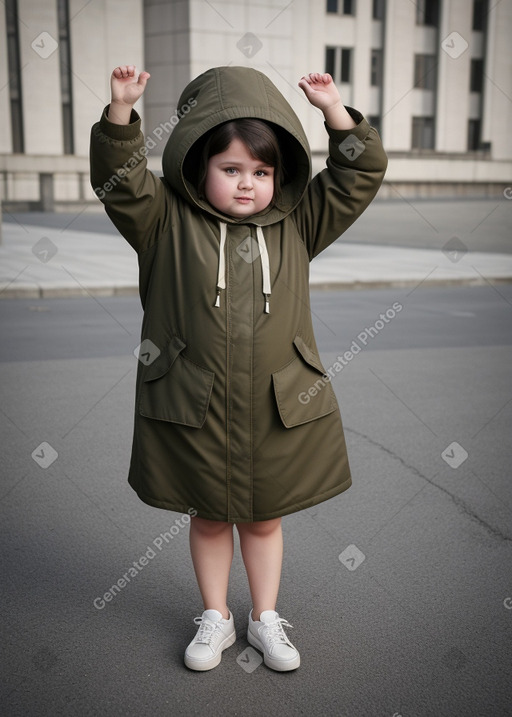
x,y
226,93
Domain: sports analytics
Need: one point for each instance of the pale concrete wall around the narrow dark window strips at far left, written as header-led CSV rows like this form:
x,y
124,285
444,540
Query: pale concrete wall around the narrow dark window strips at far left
x,y
102,35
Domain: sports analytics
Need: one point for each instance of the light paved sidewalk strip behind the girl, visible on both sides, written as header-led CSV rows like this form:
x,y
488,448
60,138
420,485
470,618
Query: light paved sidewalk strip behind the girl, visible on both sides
x,y
38,261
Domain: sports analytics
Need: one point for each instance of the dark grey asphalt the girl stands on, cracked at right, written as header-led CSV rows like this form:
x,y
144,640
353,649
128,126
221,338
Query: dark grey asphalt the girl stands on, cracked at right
x,y
421,623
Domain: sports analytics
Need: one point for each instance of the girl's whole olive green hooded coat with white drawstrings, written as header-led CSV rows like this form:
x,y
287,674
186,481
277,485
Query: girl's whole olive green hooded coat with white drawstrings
x,y
232,416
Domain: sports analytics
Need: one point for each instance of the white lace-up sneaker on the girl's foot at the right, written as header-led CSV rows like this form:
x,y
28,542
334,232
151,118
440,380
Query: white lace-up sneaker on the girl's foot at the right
x,y
268,636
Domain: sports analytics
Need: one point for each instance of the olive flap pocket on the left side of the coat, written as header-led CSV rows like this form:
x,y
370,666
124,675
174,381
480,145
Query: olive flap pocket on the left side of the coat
x,y
175,389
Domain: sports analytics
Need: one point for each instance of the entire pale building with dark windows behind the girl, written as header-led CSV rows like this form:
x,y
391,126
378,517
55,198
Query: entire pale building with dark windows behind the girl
x,y
434,76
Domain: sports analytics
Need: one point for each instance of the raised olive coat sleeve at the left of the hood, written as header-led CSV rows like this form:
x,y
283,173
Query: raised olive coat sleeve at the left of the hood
x,y
135,199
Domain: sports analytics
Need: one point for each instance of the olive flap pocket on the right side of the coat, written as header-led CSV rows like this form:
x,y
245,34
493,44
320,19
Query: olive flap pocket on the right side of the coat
x,y
302,392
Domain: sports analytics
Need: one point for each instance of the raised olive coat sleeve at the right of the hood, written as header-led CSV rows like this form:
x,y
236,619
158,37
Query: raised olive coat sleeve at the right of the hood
x,y
339,194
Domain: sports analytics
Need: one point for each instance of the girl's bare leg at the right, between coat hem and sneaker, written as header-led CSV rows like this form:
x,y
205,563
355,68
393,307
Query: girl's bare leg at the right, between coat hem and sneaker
x,y
261,544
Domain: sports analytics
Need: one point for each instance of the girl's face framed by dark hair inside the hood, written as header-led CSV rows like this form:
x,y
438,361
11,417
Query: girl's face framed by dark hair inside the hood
x,y
237,184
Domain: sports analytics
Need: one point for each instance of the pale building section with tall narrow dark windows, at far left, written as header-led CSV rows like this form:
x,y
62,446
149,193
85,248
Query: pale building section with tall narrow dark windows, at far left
x,y
55,62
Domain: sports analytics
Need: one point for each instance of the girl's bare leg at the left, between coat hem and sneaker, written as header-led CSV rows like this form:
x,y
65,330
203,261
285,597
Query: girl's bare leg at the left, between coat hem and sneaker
x,y
211,548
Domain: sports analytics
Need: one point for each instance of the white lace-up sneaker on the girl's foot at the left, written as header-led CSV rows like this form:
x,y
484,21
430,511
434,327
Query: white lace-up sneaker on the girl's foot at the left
x,y
215,634
